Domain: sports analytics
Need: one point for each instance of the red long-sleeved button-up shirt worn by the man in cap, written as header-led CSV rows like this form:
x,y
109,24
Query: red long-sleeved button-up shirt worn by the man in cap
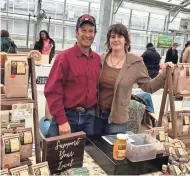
x,y
72,82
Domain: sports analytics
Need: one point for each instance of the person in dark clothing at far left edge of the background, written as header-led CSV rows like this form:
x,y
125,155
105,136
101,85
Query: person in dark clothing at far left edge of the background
x,y
7,45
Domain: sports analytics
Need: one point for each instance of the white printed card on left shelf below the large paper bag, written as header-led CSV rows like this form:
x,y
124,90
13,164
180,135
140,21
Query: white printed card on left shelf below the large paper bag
x,y
22,111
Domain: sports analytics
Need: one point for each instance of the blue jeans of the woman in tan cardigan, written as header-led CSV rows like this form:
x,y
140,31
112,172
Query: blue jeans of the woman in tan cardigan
x,y
103,127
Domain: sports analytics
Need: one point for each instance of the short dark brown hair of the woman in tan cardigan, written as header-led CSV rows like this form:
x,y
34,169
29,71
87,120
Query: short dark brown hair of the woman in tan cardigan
x,y
119,29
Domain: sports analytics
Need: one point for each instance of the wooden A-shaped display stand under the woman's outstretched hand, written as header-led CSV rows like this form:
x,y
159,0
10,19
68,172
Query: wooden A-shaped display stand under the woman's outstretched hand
x,y
168,90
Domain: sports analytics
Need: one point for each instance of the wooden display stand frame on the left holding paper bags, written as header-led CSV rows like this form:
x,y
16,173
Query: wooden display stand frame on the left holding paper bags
x,y
6,104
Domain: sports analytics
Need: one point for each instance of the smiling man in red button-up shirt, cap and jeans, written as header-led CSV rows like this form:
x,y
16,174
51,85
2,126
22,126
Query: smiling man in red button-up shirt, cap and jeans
x,y
71,88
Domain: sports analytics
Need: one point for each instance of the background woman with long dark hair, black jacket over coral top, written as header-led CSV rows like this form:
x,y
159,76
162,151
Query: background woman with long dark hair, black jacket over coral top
x,y
45,45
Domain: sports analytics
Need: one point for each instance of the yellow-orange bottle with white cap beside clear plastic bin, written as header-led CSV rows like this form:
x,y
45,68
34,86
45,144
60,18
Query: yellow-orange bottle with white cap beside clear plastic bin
x,y
119,148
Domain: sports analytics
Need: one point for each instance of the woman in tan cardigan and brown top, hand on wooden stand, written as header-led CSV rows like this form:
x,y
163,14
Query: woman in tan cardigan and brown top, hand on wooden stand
x,y
121,69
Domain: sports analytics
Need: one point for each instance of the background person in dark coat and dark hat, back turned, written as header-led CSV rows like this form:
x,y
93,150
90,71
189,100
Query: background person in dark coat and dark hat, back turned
x,y
151,60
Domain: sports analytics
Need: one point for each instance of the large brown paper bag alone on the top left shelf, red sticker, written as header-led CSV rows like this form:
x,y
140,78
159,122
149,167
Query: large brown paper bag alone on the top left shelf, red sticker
x,y
16,76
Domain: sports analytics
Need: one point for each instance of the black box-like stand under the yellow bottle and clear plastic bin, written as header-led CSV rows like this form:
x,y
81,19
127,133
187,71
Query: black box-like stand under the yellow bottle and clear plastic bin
x,y
101,152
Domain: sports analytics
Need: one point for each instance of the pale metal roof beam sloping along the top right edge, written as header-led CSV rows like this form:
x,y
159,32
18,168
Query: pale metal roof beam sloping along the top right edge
x,y
159,4
